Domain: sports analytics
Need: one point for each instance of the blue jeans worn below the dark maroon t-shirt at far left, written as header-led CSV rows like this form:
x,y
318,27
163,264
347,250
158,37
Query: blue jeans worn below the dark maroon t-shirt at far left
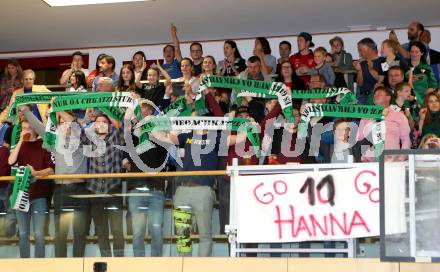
x,y
37,212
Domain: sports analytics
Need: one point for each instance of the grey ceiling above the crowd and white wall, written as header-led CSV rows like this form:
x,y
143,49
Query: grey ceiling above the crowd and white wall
x,y
33,25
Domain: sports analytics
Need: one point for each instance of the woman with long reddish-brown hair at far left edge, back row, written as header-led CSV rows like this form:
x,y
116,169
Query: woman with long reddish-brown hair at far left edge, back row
x,y
11,81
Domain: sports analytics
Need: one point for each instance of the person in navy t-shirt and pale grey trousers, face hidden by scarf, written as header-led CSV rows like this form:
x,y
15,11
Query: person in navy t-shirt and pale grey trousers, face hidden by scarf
x,y
201,153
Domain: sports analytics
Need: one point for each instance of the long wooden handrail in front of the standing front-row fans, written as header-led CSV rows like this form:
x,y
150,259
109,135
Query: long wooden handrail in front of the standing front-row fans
x,y
129,175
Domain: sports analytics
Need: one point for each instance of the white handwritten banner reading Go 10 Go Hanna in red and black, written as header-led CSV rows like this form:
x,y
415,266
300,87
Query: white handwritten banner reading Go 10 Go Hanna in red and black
x,y
327,205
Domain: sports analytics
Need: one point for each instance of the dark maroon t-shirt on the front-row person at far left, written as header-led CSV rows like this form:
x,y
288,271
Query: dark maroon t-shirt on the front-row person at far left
x,y
32,153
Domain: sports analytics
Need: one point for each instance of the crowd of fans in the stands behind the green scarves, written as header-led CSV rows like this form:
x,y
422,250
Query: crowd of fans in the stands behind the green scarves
x,y
401,77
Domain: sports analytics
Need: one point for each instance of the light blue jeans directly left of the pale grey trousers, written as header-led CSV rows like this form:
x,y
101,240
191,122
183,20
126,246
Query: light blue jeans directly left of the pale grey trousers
x,y
142,207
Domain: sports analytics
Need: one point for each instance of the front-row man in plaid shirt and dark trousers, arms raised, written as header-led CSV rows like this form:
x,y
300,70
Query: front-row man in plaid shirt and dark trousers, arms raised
x,y
99,141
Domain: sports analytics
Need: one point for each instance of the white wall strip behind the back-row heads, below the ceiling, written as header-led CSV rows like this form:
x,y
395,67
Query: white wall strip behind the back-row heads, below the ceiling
x,y
215,48
